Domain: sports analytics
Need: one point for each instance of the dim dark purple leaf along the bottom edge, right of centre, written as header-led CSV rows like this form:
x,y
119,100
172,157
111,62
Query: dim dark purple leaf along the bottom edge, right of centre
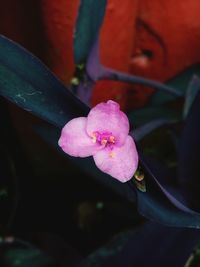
x,y
150,245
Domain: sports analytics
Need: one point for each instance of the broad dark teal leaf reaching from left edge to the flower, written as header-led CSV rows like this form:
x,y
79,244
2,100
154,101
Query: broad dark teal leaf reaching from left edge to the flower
x,y
27,82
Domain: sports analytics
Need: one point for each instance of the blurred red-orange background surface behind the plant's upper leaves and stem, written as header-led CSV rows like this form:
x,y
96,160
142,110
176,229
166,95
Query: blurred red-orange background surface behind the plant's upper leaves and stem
x,y
152,38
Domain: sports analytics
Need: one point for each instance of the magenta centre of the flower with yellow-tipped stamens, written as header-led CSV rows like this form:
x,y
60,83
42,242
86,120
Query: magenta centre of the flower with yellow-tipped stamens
x,y
105,138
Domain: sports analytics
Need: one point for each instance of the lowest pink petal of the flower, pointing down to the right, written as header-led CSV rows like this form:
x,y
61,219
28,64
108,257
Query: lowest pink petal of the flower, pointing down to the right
x,y
120,162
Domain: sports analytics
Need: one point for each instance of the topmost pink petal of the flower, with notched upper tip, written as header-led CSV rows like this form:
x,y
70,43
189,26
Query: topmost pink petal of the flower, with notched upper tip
x,y
107,117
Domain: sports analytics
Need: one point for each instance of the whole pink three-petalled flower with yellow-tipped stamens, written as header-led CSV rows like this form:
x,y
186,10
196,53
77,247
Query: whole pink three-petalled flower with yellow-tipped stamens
x,y
103,134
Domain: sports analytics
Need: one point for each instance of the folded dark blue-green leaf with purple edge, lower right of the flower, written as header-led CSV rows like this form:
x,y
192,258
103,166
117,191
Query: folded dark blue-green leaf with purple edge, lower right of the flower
x,y
163,204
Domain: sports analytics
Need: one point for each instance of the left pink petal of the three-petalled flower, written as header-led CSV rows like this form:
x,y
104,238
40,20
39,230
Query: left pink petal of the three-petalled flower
x,y
75,141
